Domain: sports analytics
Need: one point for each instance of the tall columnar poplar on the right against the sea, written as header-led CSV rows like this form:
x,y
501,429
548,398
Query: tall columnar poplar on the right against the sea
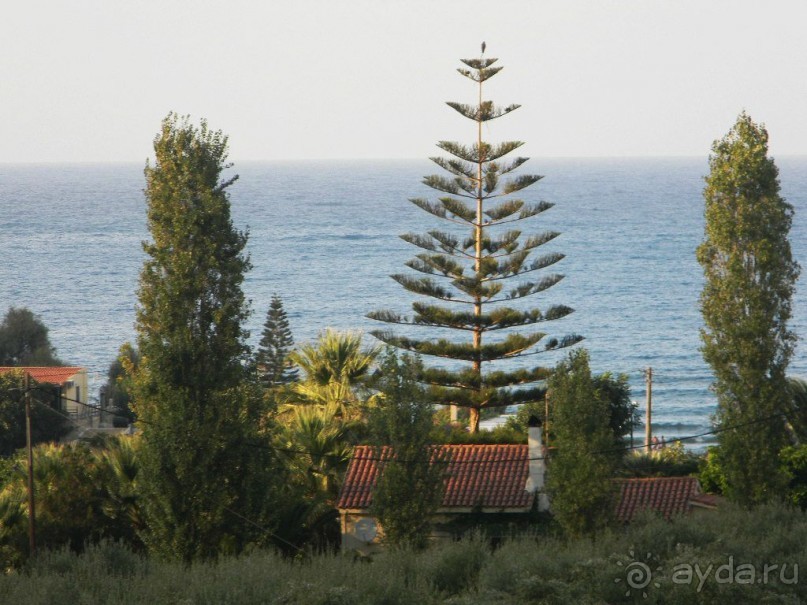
x,y
746,304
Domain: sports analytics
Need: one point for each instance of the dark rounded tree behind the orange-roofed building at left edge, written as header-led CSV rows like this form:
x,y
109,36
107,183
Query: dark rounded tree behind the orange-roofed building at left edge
x,y
24,340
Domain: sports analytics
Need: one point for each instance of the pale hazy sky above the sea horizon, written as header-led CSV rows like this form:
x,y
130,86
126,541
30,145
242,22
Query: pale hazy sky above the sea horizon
x,y
91,80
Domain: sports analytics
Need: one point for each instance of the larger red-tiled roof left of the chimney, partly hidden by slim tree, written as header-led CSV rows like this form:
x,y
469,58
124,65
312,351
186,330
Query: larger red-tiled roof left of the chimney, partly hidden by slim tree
x,y
490,476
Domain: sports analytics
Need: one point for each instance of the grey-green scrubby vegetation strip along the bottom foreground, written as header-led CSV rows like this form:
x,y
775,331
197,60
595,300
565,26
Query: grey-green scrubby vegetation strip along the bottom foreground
x,y
537,569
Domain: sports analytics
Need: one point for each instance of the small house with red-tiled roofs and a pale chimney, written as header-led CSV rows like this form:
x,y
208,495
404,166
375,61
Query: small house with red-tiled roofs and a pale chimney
x,y
502,480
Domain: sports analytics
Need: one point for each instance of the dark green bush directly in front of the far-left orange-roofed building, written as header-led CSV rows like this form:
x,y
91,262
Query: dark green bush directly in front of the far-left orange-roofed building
x,y
47,422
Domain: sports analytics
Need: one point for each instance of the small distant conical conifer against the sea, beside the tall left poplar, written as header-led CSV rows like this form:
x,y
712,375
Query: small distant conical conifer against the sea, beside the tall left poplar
x,y
272,359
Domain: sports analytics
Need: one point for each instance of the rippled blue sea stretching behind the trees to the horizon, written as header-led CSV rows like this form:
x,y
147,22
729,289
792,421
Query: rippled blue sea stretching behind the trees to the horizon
x,y
324,235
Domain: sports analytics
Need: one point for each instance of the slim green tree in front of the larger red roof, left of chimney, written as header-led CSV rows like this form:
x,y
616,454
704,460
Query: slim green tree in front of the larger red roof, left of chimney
x,y
409,489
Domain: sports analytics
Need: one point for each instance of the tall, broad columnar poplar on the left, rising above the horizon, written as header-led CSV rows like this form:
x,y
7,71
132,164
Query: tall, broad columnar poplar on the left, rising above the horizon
x,y
197,406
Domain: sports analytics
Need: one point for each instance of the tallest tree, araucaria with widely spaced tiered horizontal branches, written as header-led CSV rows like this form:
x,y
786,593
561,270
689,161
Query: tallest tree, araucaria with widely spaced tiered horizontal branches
x,y
470,270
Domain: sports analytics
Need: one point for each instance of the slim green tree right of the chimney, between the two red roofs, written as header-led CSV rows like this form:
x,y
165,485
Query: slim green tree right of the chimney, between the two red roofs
x,y
579,477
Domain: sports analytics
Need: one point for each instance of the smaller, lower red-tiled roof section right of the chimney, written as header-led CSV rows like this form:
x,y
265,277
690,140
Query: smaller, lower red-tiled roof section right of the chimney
x,y
666,495
